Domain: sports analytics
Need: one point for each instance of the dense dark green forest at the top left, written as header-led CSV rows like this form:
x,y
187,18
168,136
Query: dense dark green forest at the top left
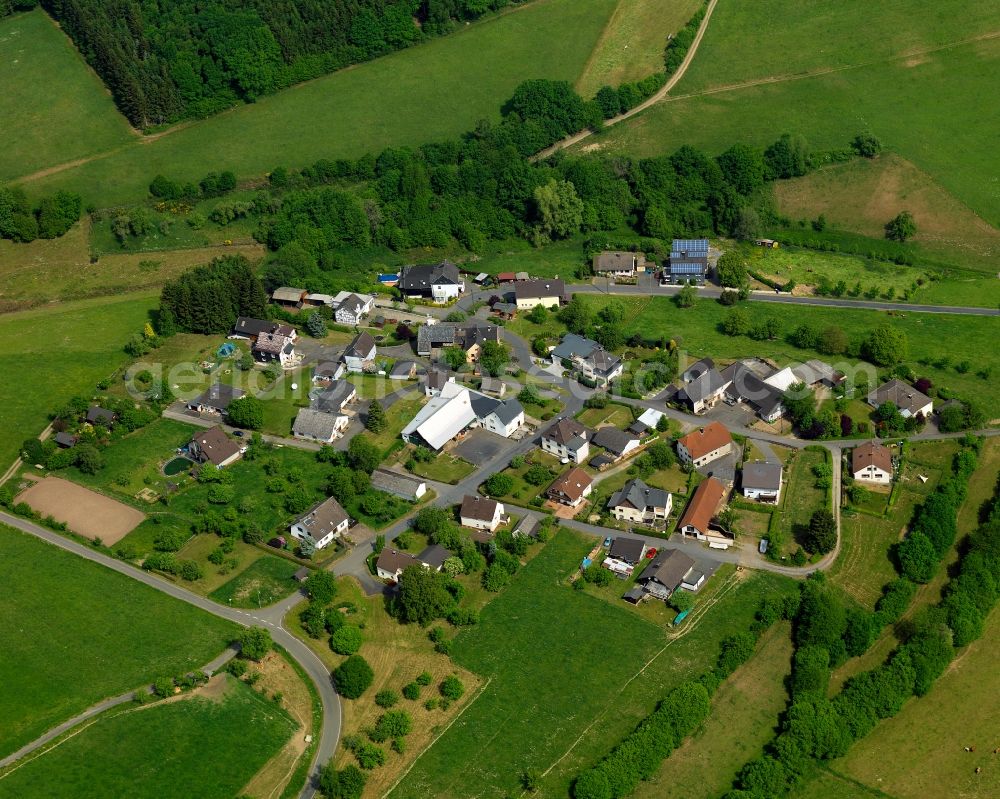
x,y
165,61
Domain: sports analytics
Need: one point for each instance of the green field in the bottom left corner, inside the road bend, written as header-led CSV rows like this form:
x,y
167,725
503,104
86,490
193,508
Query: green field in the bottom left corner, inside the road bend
x,y
205,746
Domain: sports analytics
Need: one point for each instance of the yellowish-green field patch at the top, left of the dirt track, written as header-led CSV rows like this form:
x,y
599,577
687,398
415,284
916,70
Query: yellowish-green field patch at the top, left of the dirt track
x,y
632,43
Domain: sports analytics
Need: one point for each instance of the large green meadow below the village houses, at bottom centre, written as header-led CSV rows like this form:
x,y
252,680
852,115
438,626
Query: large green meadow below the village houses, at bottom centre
x,y
560,663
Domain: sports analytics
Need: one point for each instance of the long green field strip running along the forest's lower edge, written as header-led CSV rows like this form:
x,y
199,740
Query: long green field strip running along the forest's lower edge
x,y
435,90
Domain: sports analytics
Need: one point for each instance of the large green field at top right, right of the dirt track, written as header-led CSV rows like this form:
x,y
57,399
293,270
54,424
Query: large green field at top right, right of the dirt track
x,y
856,92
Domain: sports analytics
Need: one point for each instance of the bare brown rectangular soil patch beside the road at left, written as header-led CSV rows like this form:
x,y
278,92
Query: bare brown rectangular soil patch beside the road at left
x,y
83,511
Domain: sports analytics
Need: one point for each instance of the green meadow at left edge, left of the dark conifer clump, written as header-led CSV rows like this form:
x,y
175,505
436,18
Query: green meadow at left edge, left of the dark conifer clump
x,y
59,351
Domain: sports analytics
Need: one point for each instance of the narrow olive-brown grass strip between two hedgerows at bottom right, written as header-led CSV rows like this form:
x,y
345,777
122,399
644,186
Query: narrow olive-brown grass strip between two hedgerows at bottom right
x,y
743,718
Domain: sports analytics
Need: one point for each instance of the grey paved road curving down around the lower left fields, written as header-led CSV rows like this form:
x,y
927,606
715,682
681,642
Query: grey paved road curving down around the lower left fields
x,y
270,617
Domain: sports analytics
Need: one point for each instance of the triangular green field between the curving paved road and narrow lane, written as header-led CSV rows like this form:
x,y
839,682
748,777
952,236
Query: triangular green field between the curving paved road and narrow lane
x,y
75,633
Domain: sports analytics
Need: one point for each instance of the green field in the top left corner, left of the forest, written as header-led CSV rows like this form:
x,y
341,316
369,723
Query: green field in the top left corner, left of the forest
x,y
54,109
